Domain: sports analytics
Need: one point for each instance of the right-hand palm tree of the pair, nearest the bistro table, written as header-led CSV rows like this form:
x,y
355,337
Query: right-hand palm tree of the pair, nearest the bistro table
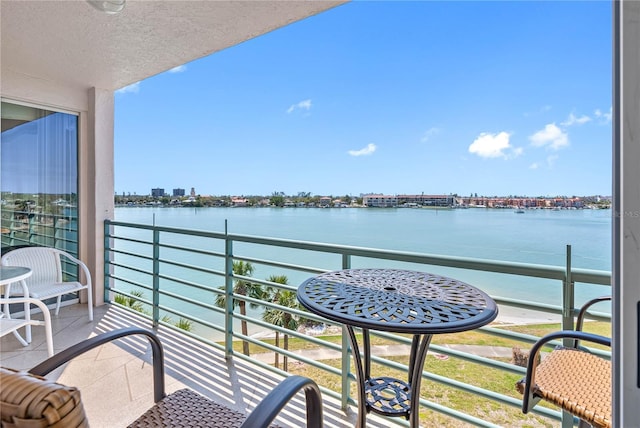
x,y
279,317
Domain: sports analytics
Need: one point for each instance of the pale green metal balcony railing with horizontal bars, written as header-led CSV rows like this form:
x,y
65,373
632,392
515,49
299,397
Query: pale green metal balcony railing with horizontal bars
x,y
166,272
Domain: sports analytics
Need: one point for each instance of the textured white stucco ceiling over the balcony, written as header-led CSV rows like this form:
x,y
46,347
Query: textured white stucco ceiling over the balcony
x,y
71,43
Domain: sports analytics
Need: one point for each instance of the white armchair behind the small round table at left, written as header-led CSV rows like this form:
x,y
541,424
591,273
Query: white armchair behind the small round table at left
x,y
47,279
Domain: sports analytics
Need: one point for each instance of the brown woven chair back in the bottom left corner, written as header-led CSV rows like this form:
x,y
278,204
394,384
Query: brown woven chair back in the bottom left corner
x,y
32,401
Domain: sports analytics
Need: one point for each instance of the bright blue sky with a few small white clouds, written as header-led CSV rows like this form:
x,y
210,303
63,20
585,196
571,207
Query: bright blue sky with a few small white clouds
x,y
494,98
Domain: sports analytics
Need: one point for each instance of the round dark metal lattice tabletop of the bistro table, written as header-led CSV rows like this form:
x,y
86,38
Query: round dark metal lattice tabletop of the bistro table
x,y
400,301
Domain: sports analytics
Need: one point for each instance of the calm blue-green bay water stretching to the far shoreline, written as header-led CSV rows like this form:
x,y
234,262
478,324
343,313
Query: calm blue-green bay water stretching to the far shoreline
x,y
536,237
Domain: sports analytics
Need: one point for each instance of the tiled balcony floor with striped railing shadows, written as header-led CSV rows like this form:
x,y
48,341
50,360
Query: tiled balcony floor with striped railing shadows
x,y
116,381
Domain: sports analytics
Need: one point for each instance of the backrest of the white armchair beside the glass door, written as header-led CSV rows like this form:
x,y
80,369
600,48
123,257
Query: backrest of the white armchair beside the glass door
x,y
43,261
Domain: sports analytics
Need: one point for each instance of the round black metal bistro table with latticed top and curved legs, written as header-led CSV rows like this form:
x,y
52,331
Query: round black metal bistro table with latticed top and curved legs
x,y
399,301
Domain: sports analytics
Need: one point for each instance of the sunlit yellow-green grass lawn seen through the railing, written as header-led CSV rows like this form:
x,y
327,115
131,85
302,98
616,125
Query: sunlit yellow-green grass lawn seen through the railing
x,y
495,380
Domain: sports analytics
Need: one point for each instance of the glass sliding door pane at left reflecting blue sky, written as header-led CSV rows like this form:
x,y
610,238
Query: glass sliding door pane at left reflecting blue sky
x,y
39,178
